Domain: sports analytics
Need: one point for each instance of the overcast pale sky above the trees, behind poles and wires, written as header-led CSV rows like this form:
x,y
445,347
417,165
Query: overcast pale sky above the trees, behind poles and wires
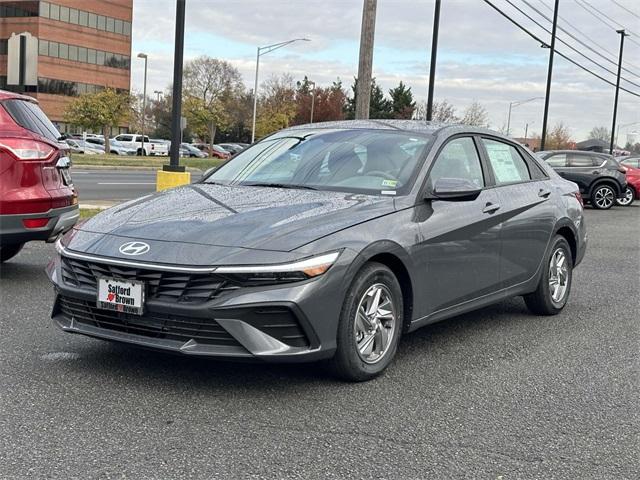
x,y
481,55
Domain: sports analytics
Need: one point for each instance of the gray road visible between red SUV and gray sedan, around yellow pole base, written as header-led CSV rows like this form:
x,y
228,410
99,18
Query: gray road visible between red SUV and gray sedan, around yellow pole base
x,y
97,186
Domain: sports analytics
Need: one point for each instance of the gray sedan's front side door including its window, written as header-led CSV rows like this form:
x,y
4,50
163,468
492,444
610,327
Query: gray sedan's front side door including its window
x,y
460,239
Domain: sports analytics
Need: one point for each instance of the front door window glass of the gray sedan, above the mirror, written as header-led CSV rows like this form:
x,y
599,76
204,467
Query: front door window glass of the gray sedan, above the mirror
x,y
458,159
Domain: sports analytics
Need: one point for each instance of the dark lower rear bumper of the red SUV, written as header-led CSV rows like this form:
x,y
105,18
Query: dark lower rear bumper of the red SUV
x,y
61,220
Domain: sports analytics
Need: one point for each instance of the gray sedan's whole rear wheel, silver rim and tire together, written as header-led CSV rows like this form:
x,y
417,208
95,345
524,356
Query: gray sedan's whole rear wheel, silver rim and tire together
x,y
555,282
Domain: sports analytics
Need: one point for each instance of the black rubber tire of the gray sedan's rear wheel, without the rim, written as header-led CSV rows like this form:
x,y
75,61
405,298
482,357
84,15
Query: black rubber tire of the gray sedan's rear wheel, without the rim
x,y
541,302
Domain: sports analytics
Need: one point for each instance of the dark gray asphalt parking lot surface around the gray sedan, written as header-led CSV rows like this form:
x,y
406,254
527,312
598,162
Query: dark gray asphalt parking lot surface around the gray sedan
x,y
493,394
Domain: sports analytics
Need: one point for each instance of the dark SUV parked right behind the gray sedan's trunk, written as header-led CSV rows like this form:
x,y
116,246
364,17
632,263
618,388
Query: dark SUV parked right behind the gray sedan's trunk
x,y
600,178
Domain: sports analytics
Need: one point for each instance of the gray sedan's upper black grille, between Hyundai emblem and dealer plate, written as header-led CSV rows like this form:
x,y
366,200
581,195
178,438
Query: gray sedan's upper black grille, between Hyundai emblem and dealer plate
x,y
171,286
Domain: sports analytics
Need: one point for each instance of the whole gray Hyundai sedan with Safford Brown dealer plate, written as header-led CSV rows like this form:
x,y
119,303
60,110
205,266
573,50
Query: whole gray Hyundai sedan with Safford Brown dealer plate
x,y
326,242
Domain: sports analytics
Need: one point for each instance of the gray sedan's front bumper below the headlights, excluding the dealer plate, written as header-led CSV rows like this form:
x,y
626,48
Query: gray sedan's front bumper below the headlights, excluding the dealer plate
x,y
295,322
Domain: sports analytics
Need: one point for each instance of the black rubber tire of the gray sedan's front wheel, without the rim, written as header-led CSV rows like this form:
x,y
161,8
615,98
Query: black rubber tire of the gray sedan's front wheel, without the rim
x,y
347,362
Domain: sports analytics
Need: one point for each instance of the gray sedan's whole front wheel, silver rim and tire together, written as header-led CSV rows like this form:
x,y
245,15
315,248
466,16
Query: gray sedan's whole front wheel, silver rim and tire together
x,y
370,324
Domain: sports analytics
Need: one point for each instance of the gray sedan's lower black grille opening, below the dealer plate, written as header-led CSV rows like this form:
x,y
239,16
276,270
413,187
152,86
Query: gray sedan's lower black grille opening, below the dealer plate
x,y
153,325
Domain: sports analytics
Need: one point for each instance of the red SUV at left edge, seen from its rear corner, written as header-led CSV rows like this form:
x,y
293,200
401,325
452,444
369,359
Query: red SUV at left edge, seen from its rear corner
x,y
37,198
